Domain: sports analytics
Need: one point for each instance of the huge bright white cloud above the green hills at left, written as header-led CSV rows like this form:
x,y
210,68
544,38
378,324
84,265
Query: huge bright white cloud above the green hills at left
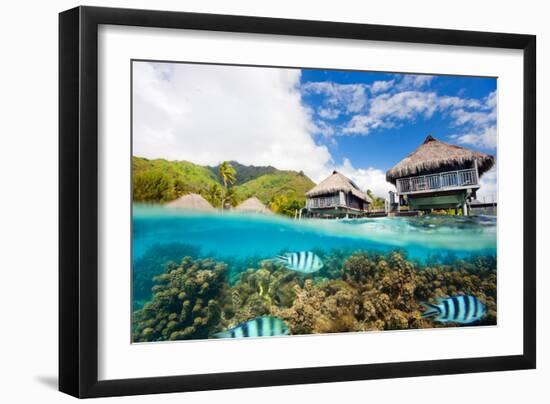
x,y
207,114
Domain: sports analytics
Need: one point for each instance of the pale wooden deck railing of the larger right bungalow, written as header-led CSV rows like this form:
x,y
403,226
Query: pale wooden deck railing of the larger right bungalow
x,y
445,180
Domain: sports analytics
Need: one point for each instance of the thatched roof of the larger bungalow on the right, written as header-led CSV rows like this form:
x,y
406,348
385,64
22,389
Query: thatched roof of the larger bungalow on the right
x,y
434,156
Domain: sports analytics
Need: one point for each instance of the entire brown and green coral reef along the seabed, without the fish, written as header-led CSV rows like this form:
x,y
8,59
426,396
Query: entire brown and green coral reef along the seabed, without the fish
x,y
356,291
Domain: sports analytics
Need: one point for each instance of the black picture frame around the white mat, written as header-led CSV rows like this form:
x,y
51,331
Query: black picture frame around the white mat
x,y
78,200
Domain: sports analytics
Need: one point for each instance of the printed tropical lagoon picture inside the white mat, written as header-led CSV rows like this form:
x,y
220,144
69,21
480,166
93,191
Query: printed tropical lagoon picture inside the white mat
x,y
283,201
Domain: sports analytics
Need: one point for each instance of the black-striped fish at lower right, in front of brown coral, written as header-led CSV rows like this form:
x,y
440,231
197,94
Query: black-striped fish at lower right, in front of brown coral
x,y
463,309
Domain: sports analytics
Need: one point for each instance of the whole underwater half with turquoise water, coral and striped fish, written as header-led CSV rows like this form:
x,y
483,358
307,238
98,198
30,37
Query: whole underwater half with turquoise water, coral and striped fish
x,y
219,275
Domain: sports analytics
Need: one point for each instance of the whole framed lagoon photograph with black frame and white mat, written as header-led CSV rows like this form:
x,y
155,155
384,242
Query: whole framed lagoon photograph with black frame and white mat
x,y
251,201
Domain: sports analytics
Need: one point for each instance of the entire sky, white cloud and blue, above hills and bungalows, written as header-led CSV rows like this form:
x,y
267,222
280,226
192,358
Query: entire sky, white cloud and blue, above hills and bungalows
x,y
315,121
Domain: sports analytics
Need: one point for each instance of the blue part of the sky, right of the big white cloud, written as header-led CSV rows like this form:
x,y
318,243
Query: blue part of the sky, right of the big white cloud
x,y
330,93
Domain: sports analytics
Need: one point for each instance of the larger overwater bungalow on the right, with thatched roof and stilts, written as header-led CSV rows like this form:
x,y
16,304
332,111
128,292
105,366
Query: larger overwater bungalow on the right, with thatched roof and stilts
x,y
438,175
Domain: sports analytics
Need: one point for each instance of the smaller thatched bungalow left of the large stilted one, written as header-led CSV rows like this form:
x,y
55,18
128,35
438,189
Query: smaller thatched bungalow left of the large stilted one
x,y
337,196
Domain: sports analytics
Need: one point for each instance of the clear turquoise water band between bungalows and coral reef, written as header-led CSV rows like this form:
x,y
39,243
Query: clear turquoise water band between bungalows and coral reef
x,y
225,234
